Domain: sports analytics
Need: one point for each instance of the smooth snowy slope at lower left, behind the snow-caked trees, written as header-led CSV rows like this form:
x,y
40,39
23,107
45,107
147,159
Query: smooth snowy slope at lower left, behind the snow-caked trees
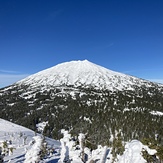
x,y
20,139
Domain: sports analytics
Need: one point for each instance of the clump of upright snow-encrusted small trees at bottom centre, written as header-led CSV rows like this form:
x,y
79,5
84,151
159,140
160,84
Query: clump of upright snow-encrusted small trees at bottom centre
x,y
75,151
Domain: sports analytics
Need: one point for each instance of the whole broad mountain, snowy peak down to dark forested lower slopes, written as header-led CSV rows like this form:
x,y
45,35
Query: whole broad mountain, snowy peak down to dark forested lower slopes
x,y
83,97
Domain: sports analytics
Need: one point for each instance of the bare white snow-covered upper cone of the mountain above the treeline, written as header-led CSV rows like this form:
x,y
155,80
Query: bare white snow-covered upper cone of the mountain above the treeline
x,y
83,74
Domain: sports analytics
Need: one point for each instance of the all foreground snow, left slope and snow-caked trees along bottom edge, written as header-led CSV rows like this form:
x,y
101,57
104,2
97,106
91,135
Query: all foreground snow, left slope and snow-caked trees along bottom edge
x,y
26,148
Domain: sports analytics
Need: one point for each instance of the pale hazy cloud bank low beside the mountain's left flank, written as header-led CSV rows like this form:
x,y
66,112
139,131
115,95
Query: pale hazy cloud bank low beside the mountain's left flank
x,y
8,79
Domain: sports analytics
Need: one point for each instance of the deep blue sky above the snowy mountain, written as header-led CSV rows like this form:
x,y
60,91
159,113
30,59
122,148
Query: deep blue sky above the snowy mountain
x,y
121,35
